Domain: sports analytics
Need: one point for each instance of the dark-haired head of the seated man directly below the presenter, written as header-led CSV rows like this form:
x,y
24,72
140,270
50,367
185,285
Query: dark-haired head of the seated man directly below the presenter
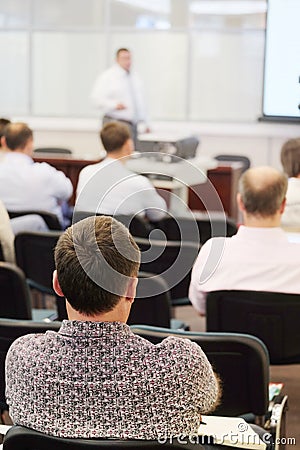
x,y
116,140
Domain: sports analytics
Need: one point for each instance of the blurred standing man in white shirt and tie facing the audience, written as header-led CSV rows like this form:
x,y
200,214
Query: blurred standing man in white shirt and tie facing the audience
x,y
118,93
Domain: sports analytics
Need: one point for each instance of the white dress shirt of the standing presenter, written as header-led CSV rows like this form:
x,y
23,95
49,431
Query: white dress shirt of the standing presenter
x,y
116,85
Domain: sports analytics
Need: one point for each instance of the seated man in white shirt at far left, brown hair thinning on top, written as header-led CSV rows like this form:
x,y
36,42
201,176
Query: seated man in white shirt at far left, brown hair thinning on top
x,y
26,185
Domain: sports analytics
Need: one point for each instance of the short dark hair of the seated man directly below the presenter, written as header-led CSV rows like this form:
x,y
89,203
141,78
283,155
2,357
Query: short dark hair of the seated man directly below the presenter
x,y
114,135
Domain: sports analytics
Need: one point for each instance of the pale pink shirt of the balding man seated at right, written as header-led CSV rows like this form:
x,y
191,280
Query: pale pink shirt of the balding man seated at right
x,y
258,259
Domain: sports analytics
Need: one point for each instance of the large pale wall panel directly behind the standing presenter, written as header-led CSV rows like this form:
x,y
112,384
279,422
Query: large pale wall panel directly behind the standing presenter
x,y
161,61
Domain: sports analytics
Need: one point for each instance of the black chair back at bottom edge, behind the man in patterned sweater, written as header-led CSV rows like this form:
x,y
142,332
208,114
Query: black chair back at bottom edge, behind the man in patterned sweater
x,y
22,438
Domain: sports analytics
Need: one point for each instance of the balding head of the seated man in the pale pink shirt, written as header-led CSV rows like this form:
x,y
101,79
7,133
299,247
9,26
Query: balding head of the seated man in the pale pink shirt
x,y
262,190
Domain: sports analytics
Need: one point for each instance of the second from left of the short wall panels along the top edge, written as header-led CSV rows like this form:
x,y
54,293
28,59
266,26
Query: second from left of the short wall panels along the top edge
x,y
68,13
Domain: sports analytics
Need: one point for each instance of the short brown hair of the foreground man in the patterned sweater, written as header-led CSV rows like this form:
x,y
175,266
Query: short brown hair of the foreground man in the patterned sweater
x,y
94,260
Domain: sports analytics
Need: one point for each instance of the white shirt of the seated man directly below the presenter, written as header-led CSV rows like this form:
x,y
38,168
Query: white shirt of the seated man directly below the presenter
x,y
110,188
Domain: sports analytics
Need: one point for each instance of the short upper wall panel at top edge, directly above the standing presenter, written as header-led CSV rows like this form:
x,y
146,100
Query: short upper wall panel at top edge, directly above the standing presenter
x,y
146,14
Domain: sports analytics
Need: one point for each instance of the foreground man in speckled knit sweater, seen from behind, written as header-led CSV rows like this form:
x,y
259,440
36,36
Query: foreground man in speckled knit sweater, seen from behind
x,y
95,378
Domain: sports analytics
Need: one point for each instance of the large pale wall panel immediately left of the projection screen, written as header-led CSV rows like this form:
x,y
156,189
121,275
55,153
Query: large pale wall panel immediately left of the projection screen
x,y
226,76
